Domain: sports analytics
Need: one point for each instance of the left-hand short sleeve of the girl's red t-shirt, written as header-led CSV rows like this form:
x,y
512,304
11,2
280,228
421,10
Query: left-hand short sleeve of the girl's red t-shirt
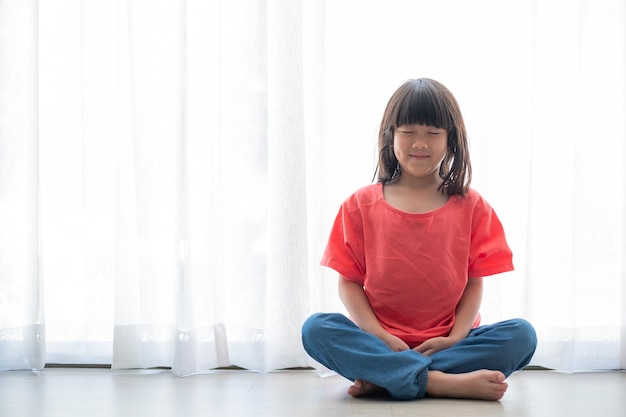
x,y
344,251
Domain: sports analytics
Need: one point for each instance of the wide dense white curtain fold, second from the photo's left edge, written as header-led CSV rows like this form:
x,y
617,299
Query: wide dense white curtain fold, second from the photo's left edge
x,y
149,183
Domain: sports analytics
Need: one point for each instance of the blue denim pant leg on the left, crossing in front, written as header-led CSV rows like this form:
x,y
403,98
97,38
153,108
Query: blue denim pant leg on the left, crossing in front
x,y
337,343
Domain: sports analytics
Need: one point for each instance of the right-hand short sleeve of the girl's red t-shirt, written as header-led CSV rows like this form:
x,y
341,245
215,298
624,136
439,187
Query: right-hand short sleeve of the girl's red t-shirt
x,y
489,251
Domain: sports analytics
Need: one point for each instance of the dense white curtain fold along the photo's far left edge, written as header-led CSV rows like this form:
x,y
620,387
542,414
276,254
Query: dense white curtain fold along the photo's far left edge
x,y
22,329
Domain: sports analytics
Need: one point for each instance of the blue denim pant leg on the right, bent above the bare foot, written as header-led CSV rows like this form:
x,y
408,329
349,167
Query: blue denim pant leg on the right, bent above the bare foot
x,y
506,346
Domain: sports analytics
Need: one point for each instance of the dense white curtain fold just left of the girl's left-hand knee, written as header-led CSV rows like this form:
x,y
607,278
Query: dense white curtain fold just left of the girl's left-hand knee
x,y
287,261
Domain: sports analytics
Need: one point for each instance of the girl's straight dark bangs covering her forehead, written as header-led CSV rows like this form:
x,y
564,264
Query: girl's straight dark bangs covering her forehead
x,y
424,104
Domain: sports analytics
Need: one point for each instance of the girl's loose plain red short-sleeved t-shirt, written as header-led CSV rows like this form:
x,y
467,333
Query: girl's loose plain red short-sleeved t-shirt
x,y
414,266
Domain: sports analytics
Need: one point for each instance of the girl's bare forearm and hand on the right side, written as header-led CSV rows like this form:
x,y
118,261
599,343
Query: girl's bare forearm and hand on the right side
x,y
466,312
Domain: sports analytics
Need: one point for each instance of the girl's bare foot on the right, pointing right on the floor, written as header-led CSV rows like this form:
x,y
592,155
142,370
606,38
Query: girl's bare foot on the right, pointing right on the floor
x,y
480,385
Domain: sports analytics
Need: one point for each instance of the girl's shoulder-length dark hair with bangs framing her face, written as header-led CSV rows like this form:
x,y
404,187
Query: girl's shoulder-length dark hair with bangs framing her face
x,y
426,102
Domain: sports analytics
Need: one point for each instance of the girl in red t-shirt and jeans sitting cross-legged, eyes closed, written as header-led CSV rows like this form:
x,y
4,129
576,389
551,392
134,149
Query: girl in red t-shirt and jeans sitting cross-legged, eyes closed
x,y
411,251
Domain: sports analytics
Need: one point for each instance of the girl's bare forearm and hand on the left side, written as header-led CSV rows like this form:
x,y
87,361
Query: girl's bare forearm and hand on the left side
x,y
353,297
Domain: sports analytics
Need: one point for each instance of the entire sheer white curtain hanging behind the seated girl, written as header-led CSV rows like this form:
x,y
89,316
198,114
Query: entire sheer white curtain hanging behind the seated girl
x,y
169,170
